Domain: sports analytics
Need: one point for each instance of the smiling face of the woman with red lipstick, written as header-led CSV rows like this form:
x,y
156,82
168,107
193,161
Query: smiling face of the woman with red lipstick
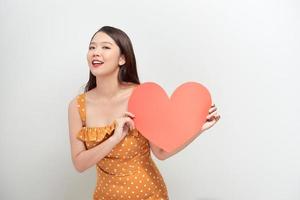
x,y
104,55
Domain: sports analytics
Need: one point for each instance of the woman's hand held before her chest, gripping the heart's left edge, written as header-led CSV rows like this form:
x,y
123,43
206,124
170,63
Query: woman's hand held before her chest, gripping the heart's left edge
x,y
123,124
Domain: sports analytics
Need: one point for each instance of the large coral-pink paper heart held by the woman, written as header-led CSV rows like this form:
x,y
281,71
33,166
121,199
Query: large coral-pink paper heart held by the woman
x,y
169,122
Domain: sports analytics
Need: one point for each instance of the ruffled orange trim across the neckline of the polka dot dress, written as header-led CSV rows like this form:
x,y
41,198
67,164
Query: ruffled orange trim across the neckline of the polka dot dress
x,y
97,134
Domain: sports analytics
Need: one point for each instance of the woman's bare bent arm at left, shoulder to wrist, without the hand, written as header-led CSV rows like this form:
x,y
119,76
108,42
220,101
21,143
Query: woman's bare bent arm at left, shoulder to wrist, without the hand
x,y
83,159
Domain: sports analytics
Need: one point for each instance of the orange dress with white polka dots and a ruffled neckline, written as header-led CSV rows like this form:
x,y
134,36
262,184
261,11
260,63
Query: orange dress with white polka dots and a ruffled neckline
x,y
128,171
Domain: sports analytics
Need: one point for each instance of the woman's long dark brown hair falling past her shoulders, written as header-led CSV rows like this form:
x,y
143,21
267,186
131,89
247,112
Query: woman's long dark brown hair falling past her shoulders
x,y
128,71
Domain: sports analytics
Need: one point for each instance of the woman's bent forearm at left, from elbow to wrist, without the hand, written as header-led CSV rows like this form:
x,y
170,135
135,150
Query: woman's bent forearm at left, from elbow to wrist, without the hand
x,y
89,158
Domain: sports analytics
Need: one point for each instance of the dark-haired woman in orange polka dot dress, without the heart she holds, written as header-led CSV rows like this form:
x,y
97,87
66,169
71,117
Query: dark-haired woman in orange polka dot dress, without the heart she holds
x,y
102,132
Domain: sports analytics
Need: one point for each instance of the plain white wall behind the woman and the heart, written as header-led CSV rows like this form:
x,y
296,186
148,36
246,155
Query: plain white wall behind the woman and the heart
x,y
245,52
